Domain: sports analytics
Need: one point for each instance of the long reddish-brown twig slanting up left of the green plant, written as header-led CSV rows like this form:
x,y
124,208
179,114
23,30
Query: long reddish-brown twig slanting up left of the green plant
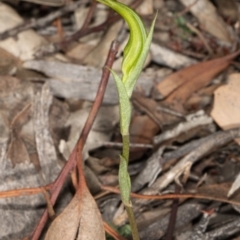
x,y
71,163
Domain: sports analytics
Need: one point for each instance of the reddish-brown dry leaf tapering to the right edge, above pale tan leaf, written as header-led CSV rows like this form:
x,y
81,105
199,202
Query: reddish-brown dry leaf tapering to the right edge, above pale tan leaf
x,y
180,85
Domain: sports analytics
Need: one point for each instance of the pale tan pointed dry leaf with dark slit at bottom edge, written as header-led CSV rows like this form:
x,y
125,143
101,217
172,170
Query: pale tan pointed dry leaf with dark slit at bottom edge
x,y
80,220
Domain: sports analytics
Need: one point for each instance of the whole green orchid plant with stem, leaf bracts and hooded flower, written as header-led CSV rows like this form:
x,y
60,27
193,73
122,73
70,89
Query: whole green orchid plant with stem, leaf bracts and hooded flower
x,y
134,57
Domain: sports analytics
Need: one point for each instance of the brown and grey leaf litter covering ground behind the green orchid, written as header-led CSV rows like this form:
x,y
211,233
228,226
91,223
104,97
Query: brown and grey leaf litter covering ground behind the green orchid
x,y
184,128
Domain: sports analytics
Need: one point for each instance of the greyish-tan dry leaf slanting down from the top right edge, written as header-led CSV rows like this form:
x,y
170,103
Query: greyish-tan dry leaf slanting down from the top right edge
x,y
209,19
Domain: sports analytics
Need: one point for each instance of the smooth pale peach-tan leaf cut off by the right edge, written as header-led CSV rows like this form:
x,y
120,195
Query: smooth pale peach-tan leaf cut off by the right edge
x,y
227,104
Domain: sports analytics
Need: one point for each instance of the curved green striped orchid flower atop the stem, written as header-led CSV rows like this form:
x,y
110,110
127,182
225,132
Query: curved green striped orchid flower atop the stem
x,y
137,48
